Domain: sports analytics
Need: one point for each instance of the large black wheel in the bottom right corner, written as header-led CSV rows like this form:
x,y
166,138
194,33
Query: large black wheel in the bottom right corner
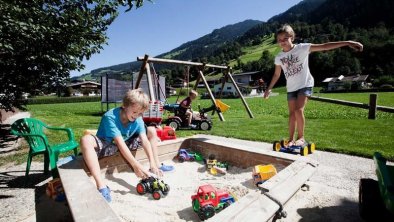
x,y
370,203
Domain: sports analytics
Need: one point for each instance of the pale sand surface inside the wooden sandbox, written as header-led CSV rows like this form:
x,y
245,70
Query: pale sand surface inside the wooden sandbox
x,y
176,206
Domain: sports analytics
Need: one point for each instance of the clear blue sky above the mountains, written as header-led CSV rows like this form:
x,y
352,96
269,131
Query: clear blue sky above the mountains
x,y
163,25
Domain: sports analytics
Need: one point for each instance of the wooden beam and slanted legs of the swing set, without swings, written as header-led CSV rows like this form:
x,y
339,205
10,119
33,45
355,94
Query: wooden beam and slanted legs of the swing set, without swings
x,y
146,60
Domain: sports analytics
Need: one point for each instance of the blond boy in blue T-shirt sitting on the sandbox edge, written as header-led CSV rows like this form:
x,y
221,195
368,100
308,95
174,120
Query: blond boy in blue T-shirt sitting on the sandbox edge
x,y
122,129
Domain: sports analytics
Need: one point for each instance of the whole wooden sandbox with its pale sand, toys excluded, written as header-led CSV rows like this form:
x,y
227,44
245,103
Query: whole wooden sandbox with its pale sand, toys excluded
x,y
86,204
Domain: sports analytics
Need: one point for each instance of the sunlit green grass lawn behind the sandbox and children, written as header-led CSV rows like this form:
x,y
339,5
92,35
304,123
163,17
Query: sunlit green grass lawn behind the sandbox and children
x,y
332,127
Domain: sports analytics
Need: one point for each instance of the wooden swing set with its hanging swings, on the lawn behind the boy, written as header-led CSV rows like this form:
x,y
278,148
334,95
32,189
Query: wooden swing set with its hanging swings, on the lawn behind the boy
x,y
217,105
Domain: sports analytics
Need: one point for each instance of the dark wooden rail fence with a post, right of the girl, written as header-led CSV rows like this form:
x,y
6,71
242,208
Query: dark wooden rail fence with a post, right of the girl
x,y
372,106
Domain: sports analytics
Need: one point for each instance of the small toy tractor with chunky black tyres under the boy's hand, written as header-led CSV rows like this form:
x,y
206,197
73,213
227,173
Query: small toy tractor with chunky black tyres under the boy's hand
x,y
153,185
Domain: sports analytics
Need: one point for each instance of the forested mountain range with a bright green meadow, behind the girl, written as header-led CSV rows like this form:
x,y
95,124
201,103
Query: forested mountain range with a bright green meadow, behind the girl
x,y
244,44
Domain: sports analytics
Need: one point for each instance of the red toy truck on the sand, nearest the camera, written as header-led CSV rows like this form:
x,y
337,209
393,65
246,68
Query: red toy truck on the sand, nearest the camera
x,y
209,200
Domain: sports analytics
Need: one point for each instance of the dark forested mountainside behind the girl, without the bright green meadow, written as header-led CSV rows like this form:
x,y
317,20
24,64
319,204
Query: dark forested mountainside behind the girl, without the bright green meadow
x,y
367,21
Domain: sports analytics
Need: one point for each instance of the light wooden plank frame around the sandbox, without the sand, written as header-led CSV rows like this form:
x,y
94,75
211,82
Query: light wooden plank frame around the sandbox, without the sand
x,y
86,204
